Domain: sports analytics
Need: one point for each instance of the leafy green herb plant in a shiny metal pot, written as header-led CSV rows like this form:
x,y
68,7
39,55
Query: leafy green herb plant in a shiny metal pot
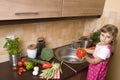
x,y
12,46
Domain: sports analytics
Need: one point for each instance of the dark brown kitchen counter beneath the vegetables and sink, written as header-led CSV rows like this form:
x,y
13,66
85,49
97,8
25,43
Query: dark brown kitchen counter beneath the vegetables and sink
x,y
69,70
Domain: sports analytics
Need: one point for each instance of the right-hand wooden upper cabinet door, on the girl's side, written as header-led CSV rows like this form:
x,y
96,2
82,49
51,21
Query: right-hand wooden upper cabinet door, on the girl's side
x,y
82,7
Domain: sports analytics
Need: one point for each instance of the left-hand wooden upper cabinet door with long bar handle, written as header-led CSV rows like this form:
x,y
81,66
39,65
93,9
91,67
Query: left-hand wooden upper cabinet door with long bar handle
x,y
29,9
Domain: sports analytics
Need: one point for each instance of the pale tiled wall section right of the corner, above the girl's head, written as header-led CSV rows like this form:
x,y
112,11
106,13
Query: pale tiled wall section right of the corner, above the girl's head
x,y
108,17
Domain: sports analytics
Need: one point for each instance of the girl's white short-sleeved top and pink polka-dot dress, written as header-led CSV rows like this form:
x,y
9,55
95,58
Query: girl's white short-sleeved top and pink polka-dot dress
x,y
98,71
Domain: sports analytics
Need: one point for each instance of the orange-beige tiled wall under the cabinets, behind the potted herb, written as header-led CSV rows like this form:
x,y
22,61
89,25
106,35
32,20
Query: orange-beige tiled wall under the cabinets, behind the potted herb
x,y
57,33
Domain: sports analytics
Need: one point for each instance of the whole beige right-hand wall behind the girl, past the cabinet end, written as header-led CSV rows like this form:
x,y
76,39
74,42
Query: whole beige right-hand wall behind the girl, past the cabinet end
x,y
111,15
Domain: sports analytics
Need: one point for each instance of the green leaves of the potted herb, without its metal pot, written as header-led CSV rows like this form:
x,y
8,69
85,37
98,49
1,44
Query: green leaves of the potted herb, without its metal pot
x,y
12,45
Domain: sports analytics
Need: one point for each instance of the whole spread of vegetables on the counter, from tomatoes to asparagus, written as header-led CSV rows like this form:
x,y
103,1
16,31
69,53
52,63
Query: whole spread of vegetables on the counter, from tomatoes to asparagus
x,y
49,69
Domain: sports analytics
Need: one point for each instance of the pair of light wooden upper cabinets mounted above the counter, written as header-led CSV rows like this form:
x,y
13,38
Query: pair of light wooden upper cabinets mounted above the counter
x,y
32,9
